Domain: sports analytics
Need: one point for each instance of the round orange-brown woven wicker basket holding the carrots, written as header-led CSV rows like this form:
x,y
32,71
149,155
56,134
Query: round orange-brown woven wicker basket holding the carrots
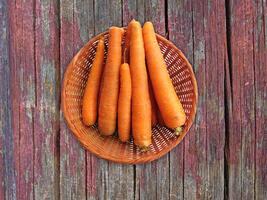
x,y
110,148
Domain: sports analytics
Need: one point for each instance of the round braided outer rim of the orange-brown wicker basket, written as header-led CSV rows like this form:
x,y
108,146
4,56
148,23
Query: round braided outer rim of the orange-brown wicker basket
x,y
140,160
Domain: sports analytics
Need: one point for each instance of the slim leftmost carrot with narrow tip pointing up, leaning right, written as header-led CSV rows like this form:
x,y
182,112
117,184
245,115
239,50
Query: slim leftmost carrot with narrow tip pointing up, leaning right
x,y
90,98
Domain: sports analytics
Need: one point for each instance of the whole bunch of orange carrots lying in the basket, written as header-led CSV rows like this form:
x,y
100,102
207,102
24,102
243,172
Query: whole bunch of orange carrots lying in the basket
x,y
133,91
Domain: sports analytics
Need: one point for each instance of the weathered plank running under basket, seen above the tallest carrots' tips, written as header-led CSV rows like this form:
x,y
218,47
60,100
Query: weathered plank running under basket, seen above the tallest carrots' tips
x,y
152,179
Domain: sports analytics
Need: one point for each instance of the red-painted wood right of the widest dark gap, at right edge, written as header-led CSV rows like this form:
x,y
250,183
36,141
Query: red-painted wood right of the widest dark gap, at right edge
x,y
248,52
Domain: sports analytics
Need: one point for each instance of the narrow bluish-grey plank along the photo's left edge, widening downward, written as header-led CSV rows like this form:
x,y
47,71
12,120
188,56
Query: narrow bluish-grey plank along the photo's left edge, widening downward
x,y
7,169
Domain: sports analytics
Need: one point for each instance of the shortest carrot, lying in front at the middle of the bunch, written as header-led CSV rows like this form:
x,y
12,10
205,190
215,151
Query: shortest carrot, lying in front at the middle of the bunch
x,y
124,103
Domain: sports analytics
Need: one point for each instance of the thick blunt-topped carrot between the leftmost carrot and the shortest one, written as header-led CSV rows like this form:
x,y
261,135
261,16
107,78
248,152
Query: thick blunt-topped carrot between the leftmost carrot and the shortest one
x,y
107,112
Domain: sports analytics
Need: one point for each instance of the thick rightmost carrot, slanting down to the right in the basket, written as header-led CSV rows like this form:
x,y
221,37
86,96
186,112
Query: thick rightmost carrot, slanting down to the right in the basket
x,y
169,104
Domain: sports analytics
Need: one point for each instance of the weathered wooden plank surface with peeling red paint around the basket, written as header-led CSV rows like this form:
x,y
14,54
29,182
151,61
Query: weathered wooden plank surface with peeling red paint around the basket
x,y
224,156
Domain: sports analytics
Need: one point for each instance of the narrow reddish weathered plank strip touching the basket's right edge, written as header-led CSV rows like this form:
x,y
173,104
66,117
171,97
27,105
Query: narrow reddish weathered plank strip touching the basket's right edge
x,y
195,146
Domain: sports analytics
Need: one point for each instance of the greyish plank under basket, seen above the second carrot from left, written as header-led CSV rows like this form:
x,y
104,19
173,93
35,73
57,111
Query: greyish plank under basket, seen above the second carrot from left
x,y
114,181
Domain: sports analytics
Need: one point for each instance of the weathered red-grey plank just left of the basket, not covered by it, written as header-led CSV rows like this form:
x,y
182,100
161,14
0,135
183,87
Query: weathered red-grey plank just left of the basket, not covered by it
x,y
46,113
